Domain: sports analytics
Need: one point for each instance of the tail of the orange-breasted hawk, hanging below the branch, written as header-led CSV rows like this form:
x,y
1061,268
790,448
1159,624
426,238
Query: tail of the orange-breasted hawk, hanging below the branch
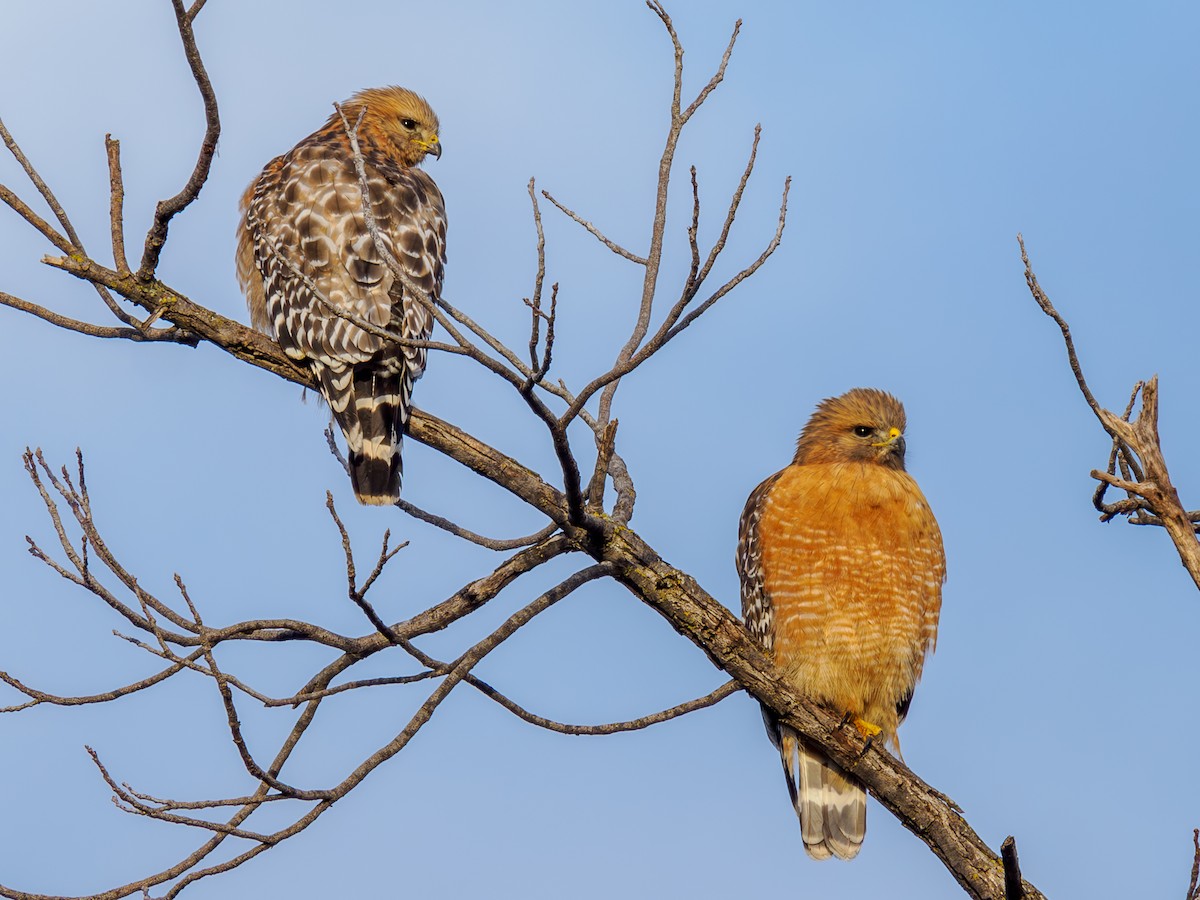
x,y
831,805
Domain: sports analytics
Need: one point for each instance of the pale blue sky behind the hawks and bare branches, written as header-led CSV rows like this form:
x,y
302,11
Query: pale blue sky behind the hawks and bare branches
x,y
1061,705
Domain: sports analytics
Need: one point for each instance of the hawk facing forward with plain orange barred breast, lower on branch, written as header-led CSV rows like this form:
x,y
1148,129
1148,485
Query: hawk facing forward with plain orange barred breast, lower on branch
x,y
842,569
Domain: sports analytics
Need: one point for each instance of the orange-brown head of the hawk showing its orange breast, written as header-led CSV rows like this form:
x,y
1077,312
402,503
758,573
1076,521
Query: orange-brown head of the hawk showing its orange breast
x,y
863,425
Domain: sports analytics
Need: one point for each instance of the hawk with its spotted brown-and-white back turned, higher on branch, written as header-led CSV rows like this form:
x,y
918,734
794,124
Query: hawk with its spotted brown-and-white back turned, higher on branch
x,y
304,248
